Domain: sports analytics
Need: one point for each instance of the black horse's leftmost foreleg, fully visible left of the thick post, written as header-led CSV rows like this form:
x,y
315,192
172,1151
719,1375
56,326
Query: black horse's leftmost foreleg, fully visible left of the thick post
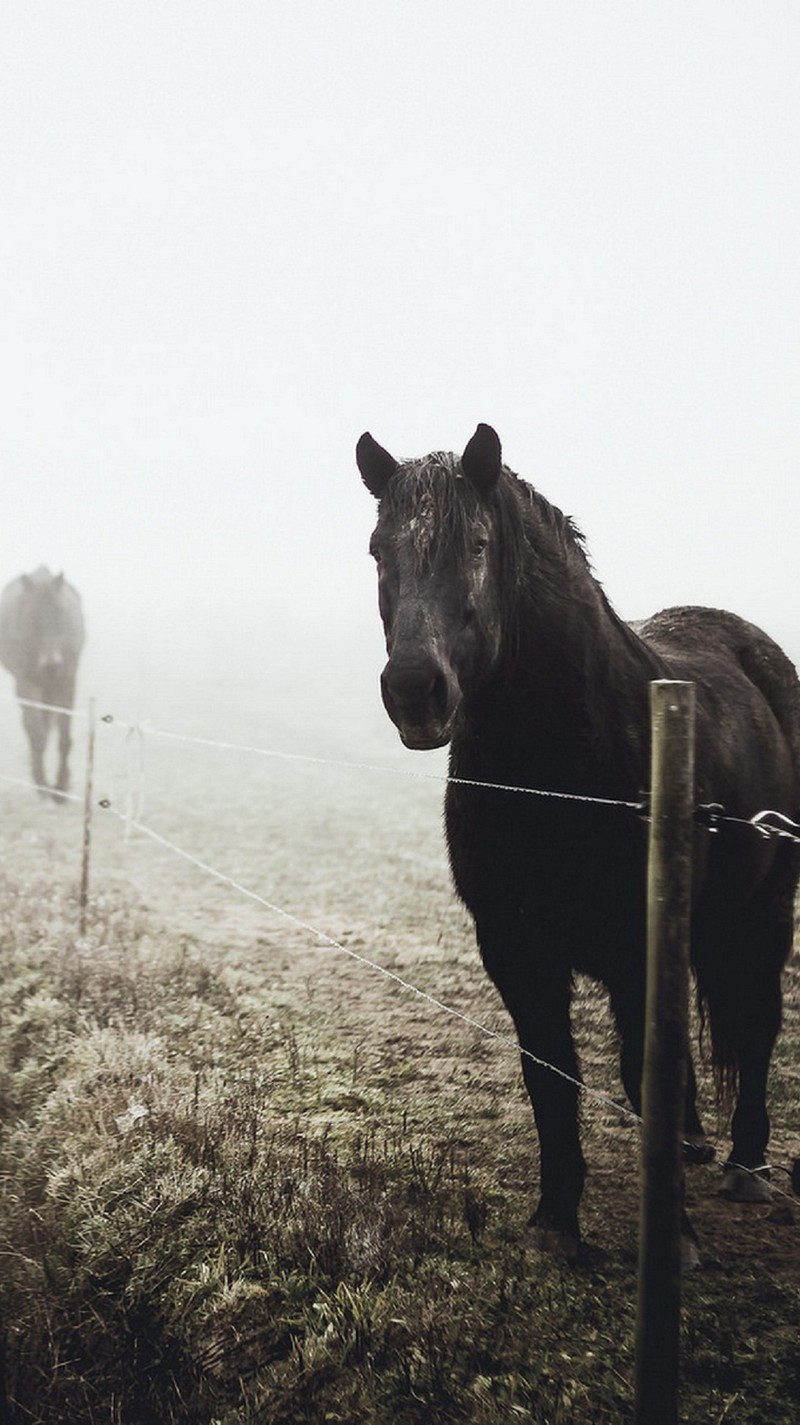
x,y
538,998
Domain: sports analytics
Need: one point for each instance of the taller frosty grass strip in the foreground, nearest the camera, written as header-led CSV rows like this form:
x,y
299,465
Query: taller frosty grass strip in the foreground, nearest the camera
x,y
210,1212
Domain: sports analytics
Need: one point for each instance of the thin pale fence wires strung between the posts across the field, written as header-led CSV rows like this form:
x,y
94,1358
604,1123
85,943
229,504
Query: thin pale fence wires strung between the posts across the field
x,y
765,823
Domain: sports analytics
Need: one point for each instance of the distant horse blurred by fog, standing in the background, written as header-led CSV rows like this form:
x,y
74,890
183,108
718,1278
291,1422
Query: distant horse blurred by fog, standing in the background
x,y
42,636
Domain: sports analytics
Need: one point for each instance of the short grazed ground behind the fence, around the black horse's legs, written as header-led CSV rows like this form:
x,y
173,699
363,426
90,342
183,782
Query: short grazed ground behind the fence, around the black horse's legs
x,y
360,859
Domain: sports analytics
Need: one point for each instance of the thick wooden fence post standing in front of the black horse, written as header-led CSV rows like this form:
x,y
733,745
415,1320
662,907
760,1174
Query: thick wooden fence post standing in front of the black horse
x,y
667,1035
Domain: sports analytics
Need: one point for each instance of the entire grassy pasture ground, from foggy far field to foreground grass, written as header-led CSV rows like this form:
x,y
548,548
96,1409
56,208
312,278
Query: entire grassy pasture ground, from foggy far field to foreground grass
x,y
249,1179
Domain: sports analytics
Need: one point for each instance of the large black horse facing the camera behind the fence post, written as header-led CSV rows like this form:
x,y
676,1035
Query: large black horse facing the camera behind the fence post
x,y
503,643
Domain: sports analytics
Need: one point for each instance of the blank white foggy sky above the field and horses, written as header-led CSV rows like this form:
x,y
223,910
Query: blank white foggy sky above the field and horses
x,y
237,234
